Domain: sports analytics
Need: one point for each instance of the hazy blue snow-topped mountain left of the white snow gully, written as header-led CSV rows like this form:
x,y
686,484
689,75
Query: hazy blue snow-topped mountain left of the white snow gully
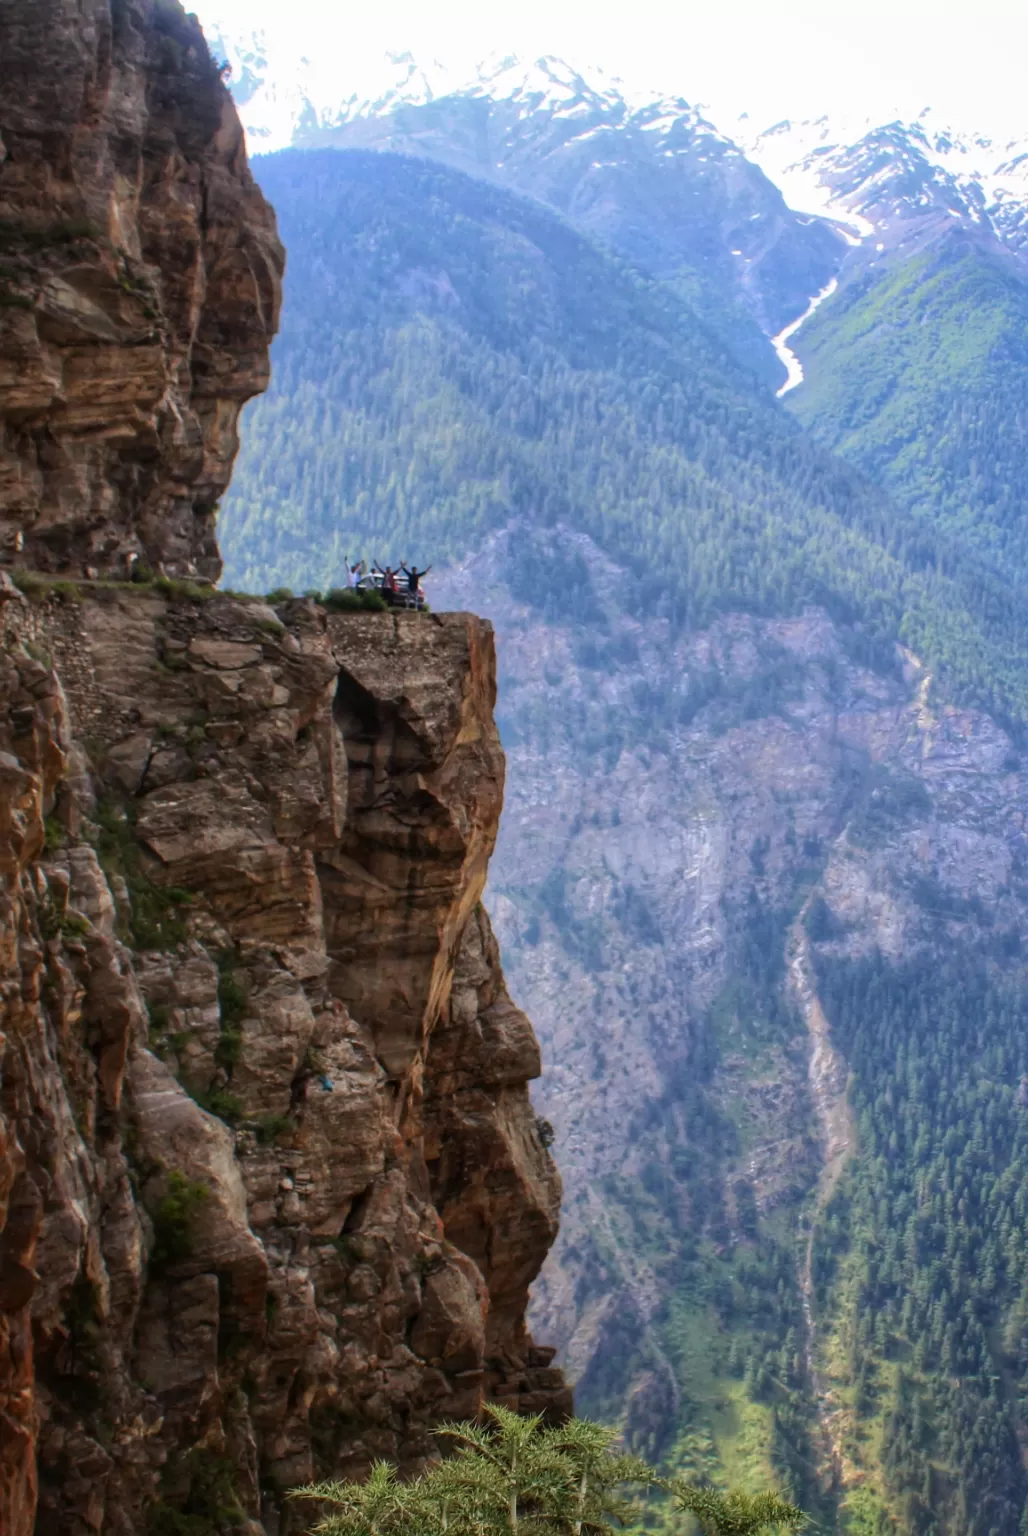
x,y
643,173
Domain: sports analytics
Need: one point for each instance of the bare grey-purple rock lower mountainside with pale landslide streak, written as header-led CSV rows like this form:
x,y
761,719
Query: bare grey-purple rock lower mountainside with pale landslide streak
x,y
685,912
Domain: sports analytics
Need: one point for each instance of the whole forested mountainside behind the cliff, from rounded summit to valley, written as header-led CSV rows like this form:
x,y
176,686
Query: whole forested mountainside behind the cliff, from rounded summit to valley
x,y
744,832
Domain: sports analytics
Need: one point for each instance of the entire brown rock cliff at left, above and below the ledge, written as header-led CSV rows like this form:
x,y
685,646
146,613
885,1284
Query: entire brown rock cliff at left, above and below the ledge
x,y
271,1187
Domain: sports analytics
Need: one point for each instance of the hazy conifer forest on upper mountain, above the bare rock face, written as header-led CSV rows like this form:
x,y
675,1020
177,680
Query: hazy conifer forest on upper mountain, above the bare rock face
x,y
465,362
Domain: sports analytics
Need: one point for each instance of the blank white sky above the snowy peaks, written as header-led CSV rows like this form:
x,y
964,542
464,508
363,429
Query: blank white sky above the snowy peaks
x,y
771,58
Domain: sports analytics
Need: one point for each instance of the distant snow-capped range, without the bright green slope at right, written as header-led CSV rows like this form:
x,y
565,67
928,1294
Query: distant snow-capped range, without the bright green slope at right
x,y
595,147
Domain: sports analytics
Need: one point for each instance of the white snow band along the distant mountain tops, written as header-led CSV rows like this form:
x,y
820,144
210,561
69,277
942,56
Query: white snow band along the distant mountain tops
x,y
290,84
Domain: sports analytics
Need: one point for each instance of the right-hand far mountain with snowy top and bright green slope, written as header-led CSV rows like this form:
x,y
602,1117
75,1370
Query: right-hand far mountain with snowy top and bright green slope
x,y
917,369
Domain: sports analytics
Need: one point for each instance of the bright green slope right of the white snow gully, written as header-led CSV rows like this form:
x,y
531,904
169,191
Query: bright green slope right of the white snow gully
x,y
937,412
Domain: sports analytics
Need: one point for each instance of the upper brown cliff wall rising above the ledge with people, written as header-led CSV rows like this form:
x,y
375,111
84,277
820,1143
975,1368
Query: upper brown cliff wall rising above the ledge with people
x,y
139,288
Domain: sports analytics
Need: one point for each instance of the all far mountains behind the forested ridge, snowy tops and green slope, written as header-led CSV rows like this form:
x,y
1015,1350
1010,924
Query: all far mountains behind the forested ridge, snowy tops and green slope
x,y
914,371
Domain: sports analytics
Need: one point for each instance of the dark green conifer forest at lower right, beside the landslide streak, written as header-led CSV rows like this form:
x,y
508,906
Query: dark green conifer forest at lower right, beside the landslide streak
x,y
921,1262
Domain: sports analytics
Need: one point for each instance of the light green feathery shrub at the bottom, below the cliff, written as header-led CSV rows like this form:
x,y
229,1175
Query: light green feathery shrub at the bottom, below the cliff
x,y
516,1475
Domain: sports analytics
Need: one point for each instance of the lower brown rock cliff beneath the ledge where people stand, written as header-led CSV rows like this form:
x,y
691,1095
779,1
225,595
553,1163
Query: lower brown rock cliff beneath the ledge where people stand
x,y
273,1187
